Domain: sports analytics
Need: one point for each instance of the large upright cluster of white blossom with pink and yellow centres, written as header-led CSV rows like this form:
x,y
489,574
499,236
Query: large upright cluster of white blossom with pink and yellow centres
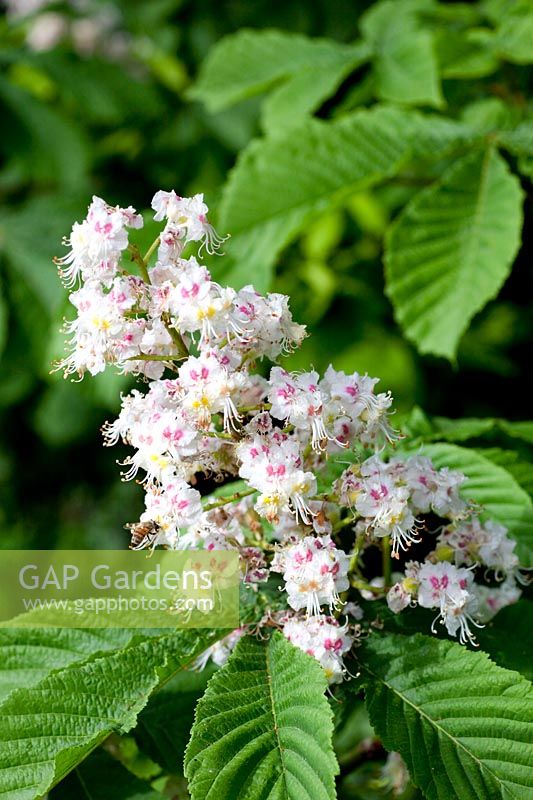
x,y
218,406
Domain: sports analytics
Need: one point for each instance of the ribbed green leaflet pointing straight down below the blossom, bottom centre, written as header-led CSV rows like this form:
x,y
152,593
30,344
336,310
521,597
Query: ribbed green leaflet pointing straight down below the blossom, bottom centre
x,y
263,728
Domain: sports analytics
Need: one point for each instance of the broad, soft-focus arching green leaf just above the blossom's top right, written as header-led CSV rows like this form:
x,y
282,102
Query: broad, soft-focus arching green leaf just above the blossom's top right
x,y
280,183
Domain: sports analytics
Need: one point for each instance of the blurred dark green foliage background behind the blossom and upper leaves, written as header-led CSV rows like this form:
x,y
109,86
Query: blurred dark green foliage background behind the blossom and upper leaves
x,y
73,125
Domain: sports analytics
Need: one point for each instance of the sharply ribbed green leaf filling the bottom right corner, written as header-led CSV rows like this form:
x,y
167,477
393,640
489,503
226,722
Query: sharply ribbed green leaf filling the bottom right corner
x,y
463,725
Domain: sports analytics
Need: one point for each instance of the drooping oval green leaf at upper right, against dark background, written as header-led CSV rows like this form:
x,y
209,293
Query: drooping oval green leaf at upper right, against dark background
x,y
451,249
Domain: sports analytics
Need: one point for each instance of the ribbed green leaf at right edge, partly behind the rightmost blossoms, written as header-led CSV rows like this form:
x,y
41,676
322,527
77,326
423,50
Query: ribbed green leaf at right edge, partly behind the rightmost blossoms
x,y
494,488
